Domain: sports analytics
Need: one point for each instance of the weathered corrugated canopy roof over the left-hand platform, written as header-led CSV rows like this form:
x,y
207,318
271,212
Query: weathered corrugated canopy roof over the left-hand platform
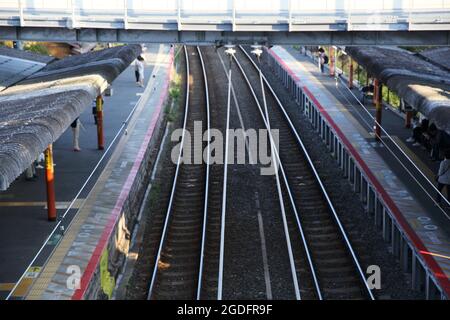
x,y
46,96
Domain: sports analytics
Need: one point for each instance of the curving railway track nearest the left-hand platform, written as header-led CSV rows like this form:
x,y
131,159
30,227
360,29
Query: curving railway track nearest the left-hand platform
x,y
179,261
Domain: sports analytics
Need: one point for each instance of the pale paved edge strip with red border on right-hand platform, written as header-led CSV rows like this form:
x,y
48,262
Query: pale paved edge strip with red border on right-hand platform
x,y
418,220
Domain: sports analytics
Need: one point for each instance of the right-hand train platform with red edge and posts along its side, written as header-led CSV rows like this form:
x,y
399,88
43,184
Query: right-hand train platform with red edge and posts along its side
x,y
395,193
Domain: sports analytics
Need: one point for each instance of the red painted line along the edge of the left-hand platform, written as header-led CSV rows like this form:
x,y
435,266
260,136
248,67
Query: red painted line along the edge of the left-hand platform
x,y
109,228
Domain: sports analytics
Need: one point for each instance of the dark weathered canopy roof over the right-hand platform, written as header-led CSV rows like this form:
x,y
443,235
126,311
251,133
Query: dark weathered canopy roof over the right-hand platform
x,y
421,80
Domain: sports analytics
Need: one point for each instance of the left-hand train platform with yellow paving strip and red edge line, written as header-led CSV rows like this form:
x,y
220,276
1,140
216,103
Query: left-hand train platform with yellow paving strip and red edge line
x,y
65,262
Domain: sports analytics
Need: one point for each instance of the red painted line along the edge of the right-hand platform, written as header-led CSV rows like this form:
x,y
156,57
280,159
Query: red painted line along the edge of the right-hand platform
x,y
430,261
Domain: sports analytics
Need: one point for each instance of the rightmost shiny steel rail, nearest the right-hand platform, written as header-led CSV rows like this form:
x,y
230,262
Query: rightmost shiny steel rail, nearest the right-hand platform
x,y
318,179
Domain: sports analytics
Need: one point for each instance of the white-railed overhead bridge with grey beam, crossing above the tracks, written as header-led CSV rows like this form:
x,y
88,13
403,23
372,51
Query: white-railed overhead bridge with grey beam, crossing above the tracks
x,y
304,22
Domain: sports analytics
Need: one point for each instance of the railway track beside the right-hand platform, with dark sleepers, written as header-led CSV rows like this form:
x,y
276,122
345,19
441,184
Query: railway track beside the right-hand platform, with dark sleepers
x,y
334,270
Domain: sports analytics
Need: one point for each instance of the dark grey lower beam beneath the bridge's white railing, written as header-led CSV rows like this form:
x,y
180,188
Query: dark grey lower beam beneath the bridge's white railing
x,y
348,38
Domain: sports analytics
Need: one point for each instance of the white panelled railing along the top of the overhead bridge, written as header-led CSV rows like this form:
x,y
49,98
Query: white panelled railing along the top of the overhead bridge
x,y
228,14
